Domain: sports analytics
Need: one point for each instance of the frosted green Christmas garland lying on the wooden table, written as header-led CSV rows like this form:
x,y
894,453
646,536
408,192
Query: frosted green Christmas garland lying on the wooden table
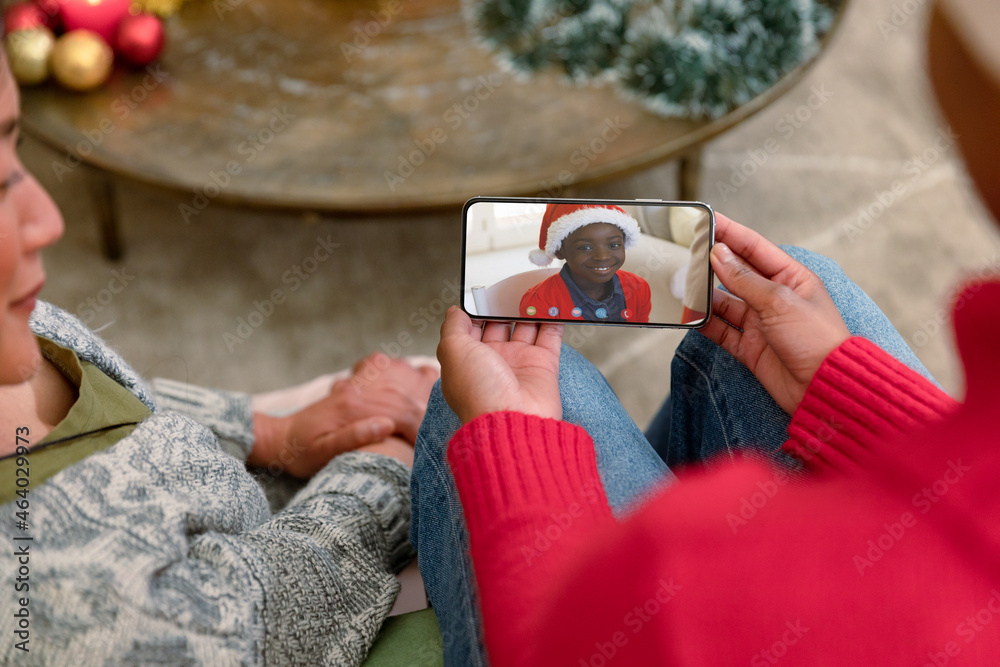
x,y
686,58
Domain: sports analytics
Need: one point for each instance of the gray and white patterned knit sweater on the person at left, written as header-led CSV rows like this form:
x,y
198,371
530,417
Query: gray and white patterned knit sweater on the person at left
x,y
162,549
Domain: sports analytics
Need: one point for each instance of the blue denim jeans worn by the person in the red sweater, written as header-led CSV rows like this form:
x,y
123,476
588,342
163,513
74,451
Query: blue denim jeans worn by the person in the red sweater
x,y
716,408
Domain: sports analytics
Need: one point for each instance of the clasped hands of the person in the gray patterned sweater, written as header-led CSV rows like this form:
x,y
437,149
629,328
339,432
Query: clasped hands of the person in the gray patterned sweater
x,y
377,409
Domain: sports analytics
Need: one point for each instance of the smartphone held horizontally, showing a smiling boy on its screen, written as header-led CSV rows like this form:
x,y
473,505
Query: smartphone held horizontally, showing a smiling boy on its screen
x,y
642,262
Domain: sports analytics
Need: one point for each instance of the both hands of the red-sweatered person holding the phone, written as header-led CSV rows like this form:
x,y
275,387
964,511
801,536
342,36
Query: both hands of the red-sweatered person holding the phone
x,y
777,319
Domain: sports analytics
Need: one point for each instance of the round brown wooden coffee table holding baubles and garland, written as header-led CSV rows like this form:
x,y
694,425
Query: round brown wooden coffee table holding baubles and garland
x,y
349,106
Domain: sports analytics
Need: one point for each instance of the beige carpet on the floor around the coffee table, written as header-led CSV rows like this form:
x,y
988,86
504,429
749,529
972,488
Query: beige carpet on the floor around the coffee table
x,y
858,128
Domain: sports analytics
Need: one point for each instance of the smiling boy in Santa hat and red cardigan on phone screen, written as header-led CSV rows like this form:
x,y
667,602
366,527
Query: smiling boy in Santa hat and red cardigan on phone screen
x,y
592,238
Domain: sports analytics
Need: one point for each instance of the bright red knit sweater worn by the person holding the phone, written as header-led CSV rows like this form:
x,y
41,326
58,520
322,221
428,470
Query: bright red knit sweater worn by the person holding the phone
x,y
888,555
